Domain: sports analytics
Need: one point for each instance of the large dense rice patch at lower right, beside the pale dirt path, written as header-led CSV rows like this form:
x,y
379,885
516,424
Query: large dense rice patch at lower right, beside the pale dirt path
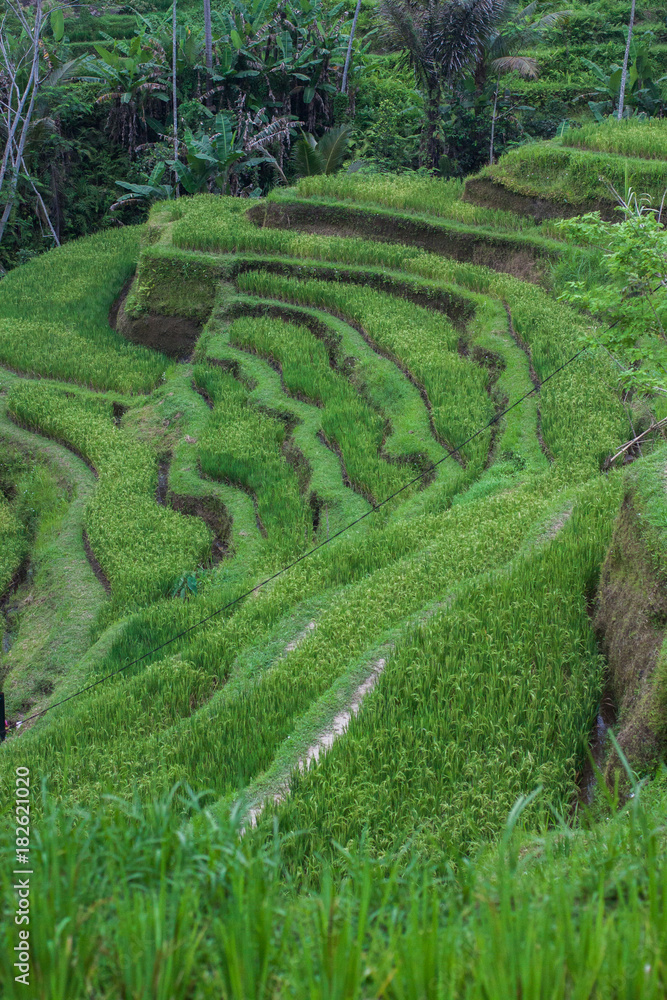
x,y
478,706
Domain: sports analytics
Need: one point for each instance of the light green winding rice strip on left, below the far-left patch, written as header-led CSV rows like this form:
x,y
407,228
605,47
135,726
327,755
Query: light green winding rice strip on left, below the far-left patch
x,y
140,546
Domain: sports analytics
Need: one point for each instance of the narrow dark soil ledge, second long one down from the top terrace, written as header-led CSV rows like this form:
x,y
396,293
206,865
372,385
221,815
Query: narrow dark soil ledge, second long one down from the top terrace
x,y
456,307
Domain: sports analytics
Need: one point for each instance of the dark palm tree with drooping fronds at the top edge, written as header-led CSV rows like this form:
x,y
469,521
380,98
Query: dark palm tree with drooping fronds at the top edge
x,y
441,39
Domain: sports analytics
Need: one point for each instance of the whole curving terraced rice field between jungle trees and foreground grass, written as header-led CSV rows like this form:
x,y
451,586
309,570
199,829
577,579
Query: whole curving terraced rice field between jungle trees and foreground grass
x,y
330,371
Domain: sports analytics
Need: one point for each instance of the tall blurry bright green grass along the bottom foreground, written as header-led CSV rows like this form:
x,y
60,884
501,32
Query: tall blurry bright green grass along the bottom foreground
x,y
128,903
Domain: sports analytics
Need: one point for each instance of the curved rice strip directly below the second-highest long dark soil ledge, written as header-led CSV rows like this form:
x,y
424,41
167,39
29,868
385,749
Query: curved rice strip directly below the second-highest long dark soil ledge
x,y
423,343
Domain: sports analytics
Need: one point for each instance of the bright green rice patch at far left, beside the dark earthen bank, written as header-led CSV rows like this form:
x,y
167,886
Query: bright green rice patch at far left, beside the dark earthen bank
x,y
54,316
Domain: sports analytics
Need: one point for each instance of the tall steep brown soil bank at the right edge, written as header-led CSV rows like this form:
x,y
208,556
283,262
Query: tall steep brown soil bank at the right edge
x,y
631,622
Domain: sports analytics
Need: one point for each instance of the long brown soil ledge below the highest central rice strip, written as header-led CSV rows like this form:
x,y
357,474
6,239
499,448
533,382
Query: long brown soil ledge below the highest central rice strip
x,y
507,255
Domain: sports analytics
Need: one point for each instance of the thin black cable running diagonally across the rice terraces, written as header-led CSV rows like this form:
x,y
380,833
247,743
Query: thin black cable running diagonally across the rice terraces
x,y
305,555
